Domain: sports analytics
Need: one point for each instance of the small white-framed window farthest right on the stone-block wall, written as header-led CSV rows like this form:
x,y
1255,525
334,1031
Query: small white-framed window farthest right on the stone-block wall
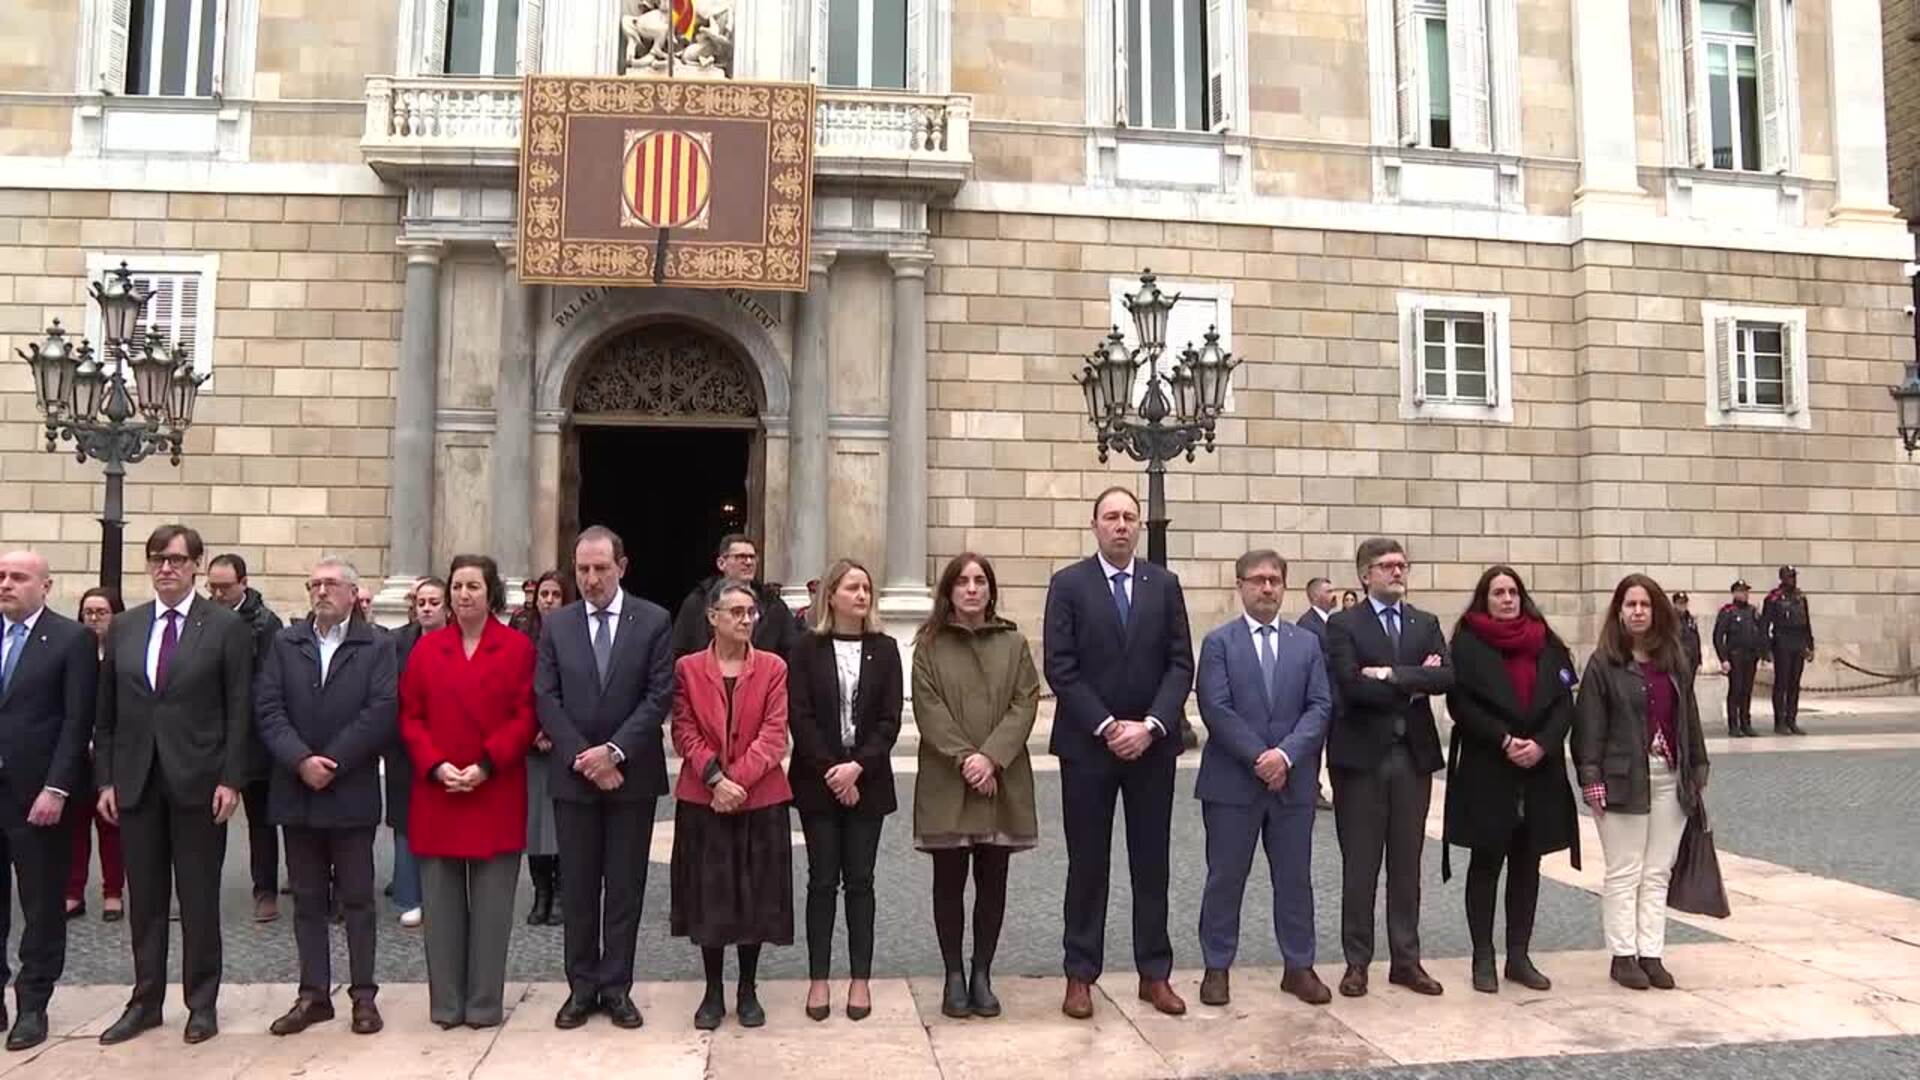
x,y
1756,366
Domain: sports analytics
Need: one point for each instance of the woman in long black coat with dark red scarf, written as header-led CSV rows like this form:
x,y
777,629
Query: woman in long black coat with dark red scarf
x,y
1508,798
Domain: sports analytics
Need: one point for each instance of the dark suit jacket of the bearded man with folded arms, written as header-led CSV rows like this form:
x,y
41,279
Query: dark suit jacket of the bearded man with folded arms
x,y
1364,722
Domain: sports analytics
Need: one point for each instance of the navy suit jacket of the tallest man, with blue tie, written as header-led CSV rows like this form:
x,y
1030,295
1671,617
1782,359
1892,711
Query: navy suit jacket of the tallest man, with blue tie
x,y
1103,670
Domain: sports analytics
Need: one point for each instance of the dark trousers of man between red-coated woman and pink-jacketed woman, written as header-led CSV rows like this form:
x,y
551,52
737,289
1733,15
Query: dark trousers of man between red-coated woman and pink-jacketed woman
x,y
604,885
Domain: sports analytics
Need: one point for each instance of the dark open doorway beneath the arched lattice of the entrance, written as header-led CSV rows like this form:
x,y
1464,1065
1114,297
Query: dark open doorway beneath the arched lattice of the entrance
x,y
671,493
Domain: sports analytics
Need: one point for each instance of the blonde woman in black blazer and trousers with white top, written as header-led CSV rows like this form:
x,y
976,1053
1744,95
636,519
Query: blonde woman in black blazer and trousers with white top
x,y
844,710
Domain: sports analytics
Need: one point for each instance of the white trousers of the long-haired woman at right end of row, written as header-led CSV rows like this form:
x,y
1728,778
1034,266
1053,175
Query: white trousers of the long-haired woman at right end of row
x,y
1641,852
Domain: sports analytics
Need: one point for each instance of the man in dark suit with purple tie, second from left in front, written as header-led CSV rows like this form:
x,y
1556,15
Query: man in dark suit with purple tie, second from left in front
x,y
170,758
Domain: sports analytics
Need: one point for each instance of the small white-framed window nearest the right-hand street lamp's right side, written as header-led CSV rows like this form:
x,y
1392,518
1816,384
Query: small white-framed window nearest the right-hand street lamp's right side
x,y
1456,358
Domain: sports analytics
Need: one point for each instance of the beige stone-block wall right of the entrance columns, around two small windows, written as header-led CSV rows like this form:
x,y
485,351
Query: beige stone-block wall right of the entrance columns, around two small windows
x,y
1608,466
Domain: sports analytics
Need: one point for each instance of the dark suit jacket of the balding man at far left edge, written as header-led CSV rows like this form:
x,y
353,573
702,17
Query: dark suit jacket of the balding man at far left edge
x,y
47,714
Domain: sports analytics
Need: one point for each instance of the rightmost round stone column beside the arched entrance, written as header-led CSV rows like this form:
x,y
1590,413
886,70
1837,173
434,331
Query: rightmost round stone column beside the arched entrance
x,y
905,597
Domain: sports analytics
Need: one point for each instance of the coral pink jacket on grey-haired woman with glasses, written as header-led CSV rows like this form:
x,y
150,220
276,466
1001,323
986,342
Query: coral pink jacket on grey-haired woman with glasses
x,y
752,758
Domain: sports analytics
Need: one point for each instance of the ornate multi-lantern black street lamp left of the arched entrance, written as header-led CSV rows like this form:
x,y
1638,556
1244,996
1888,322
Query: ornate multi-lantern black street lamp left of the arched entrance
x,y
101,412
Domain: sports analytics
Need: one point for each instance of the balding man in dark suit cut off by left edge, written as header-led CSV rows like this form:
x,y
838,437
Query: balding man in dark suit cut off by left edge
x,y
47,708
